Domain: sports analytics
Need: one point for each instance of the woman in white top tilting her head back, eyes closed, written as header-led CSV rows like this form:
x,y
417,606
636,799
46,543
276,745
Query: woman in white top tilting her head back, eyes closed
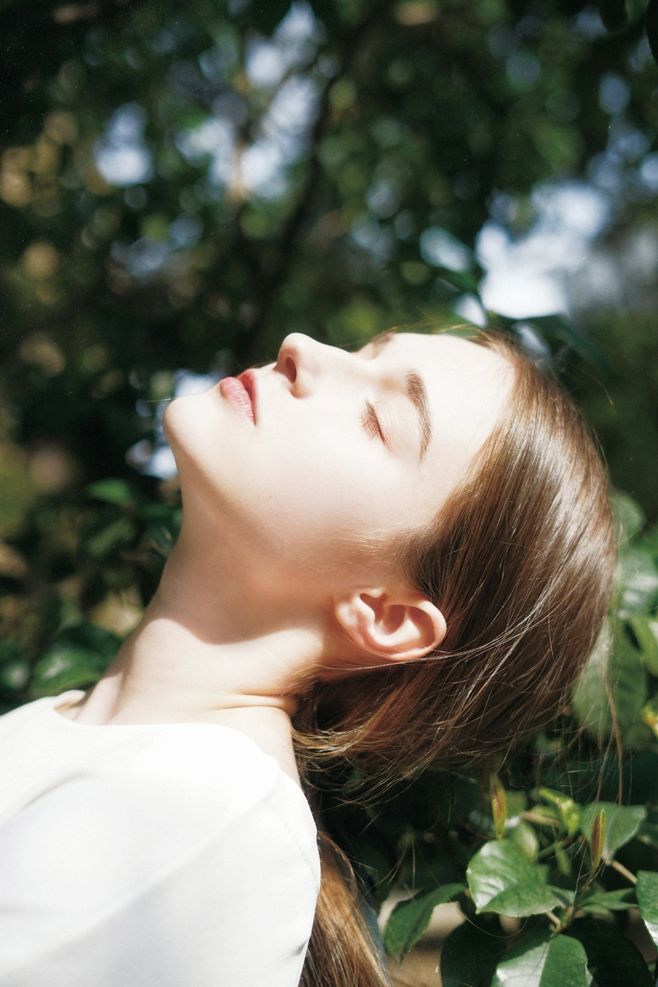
x,y
395,555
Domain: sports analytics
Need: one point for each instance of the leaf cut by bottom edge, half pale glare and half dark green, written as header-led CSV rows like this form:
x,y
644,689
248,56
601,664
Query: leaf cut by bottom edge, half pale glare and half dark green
x,y
541,959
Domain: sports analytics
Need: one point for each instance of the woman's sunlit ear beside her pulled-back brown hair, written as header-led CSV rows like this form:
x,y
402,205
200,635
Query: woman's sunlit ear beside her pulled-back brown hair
x,y
395,627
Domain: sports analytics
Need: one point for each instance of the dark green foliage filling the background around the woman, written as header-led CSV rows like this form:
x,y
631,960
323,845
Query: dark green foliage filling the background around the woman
x,y
180,186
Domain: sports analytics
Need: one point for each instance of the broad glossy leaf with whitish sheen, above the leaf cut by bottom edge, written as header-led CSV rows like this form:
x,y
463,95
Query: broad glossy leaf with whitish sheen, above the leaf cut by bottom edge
x,y
502,879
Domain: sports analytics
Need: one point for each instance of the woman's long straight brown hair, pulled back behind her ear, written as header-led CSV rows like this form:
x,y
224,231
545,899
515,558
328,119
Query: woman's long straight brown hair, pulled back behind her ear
x,y
520,560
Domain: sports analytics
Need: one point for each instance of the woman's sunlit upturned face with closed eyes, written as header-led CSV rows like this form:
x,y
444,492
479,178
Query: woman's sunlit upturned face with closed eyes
x,y
347,450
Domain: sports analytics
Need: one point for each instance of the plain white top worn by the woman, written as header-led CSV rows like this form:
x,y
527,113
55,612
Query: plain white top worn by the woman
x,y
149,855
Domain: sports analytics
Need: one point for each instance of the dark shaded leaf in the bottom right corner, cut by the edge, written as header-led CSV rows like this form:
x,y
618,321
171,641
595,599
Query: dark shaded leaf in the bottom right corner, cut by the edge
x,y
612,959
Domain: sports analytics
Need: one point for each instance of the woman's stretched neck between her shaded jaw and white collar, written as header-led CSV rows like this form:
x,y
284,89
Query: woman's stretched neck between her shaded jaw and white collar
x,y
208,649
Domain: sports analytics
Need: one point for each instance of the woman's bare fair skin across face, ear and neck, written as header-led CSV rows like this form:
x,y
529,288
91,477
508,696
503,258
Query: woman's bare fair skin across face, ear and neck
x,y
281,570
